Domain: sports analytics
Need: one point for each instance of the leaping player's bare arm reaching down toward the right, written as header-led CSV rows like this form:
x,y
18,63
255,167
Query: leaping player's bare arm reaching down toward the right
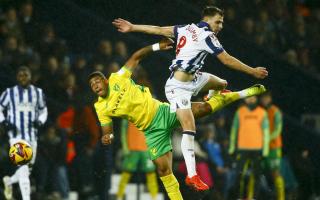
x,y
234,63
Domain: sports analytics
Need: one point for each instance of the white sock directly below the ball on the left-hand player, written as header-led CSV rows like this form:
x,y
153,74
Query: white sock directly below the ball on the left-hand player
x,y
24,182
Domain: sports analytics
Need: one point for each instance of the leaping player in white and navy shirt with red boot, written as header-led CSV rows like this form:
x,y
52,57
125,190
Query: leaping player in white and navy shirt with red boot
x,y
194,43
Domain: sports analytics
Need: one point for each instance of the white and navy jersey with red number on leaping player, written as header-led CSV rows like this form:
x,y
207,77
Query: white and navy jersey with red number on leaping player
x,y
194,43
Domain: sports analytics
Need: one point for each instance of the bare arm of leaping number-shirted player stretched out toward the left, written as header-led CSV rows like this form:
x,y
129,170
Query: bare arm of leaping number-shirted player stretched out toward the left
x,y
125,26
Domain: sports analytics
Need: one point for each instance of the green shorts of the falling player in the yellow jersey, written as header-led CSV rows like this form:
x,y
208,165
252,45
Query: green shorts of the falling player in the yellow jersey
x,y
158,134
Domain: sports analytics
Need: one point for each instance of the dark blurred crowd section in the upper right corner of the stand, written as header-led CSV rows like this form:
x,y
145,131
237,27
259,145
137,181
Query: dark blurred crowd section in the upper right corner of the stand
x,y
287,29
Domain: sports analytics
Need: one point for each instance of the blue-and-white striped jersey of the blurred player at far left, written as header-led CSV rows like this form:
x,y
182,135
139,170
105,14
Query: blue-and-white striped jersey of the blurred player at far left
x,y
23,106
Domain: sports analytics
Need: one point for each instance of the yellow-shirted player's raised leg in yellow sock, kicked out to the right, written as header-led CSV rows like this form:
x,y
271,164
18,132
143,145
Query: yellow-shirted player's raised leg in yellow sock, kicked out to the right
x,y
218,101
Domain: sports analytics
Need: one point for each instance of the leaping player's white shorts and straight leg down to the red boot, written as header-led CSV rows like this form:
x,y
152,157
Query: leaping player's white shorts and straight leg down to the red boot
x,y
179,95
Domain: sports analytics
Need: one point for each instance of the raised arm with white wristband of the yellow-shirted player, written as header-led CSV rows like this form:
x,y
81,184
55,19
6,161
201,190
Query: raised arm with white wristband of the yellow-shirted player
x,y
137,56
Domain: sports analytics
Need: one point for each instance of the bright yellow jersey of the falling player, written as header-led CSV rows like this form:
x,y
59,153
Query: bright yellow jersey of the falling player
x,y
127,100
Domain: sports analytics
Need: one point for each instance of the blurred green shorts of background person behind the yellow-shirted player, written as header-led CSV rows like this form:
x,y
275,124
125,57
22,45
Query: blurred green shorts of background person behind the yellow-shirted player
x,y
137,161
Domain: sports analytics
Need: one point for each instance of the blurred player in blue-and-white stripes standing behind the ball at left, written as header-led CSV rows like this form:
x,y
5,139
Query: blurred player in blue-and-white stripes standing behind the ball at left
x,y
23,112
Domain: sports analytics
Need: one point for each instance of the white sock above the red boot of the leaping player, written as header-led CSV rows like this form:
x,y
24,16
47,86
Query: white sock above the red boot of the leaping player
x,y
187,147
